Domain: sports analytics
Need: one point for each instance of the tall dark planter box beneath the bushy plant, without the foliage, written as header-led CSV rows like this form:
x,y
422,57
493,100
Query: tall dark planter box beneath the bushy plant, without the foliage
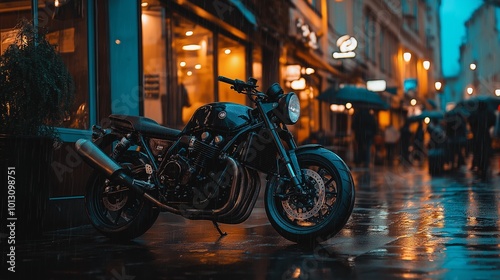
x,y
25,177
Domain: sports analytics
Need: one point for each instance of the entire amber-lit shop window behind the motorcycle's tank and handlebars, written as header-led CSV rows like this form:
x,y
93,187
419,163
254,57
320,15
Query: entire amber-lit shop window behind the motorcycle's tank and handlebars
x,y
182,56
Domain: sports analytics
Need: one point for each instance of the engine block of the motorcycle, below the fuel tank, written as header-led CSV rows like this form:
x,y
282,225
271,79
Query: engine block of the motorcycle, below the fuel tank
x,y
187,171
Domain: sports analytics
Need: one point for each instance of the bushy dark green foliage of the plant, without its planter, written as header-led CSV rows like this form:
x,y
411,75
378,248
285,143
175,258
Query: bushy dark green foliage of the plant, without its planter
x,y
36,88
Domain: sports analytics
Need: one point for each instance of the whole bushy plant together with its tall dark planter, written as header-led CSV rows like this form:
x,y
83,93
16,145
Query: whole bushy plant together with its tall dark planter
x,y
36,92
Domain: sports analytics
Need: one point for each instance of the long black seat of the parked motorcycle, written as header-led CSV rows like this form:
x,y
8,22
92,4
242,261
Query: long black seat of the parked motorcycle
x,y
145,126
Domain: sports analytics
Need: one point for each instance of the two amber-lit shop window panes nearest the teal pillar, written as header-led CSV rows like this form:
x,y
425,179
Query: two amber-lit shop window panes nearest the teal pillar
x,y
178,66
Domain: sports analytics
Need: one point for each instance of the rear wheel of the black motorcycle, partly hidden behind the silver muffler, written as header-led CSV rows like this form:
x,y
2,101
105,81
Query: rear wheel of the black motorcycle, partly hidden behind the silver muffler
x,y
114,210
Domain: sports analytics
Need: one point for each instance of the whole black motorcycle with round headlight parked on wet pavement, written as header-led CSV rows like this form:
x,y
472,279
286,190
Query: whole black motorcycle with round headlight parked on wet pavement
x,y
213,169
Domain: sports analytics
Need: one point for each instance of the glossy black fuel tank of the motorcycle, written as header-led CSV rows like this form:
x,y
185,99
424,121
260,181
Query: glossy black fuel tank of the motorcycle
x,y
221,117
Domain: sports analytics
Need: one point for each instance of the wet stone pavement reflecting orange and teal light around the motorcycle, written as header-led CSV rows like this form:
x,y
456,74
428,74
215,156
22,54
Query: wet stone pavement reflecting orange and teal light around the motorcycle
x,y
405,224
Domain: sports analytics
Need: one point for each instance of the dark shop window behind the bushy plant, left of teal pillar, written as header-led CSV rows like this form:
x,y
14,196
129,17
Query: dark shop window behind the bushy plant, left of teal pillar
x,y
66,27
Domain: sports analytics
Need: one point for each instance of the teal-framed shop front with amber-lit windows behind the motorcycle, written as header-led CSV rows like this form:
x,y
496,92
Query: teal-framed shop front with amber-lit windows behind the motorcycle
x,y
158,59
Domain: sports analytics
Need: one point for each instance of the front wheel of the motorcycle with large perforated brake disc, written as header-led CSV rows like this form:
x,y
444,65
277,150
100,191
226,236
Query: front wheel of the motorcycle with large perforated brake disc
x,y
325,207
